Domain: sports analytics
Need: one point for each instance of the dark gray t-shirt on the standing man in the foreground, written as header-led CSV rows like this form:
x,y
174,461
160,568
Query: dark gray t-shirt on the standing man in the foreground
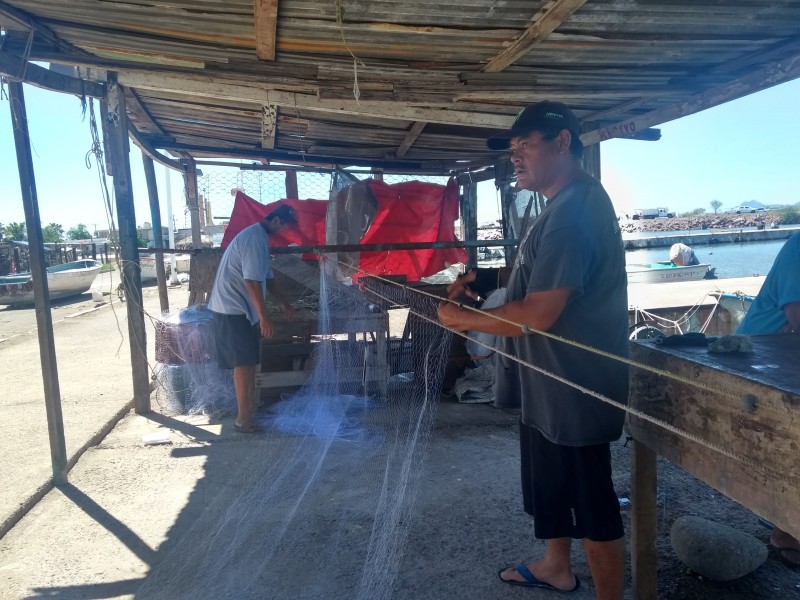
x,y
576,244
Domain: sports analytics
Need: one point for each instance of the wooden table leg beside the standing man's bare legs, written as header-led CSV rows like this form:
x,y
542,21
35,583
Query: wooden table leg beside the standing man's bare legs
x,y
643,523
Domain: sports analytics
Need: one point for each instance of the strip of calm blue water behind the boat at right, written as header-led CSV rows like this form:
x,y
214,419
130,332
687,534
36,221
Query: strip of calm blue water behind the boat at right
x,y
730,260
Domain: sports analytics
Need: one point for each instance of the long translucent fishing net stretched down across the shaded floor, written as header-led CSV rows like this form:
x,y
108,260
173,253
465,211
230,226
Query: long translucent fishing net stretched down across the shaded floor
x,y
322,503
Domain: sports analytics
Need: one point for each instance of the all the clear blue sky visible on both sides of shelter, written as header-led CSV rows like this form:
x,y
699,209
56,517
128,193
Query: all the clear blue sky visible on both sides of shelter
x,y
744,150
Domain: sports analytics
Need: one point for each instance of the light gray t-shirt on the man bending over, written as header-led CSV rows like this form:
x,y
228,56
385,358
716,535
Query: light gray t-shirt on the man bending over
x,y
247,257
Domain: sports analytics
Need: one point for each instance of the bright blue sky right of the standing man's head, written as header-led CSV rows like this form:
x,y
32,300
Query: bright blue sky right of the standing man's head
x,y
739,151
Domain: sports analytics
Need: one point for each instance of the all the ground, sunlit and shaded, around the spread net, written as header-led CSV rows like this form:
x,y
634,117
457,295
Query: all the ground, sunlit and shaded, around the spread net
x,y
131,510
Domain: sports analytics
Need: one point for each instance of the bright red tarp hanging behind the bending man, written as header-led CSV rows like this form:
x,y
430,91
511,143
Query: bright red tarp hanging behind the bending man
x,y
407,212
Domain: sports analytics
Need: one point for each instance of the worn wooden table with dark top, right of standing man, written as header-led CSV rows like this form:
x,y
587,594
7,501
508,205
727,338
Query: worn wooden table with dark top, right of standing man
x,y
750,408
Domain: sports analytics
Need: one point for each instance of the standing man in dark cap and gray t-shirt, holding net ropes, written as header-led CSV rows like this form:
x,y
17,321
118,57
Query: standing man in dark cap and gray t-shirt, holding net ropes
x,y
568,280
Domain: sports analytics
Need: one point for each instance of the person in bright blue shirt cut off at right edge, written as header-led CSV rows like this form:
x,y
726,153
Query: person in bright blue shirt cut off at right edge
x,y
776,309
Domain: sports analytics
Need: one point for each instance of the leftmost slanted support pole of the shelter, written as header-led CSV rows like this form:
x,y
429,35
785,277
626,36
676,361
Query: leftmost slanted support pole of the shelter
x,y
44,320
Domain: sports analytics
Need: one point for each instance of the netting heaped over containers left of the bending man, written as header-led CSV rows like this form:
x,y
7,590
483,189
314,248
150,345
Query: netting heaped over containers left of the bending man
x,y
189,380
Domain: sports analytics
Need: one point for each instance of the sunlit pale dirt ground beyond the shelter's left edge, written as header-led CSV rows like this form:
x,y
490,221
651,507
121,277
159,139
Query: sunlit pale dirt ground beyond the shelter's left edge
x,y
94,371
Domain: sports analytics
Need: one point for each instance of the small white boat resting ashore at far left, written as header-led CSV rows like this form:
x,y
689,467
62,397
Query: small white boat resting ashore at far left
x,y
69,279
